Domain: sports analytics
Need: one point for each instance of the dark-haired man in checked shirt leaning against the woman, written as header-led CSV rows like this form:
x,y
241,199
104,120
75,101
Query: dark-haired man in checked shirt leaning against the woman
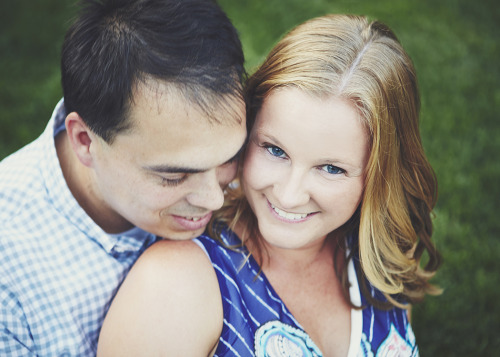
x,y
142,145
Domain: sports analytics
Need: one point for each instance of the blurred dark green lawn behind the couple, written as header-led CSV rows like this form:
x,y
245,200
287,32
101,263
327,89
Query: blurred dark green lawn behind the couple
x,y
455,47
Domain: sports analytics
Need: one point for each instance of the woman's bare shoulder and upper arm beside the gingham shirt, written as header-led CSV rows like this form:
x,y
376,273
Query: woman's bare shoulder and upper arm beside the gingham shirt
x,y
169,304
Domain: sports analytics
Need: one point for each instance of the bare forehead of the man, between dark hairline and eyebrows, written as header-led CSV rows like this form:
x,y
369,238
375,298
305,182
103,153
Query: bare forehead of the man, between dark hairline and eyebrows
x,y
175,136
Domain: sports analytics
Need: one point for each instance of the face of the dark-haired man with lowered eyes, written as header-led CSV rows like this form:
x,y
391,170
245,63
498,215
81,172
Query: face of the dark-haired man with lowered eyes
x,y
167,174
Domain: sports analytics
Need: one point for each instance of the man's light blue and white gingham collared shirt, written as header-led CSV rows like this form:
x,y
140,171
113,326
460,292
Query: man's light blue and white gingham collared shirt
x,y
59,270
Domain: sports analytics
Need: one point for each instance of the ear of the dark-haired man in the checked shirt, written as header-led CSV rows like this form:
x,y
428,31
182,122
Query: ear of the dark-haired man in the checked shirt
x,y
80,138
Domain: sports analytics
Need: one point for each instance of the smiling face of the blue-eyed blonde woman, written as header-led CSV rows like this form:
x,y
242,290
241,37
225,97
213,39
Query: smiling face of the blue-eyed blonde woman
x,y
303,173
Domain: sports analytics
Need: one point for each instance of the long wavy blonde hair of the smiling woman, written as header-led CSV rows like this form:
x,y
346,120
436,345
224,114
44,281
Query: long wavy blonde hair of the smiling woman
x,y
362,61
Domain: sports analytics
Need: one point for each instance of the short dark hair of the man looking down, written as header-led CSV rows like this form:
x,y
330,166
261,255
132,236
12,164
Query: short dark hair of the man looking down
x,y
116,44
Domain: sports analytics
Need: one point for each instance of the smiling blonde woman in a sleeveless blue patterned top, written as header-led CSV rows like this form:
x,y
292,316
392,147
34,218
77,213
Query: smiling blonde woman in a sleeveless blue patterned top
x,y
327,227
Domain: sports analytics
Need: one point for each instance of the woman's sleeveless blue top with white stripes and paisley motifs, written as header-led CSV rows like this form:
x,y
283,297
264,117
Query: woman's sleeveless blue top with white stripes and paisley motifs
x,y
257,322
